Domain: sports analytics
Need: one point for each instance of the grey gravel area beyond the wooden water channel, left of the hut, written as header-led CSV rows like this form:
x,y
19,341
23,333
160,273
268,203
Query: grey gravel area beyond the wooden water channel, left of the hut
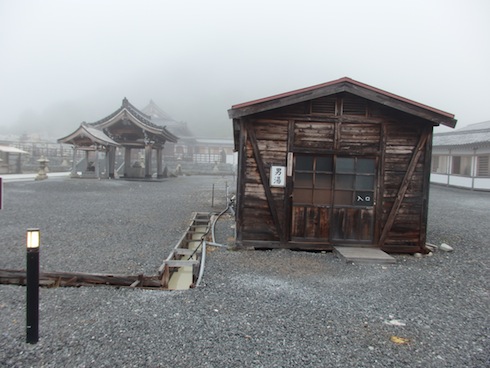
x,y
108,226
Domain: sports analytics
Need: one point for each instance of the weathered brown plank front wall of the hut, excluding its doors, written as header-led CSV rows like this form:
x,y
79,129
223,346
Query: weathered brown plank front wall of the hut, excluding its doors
x,y
341,124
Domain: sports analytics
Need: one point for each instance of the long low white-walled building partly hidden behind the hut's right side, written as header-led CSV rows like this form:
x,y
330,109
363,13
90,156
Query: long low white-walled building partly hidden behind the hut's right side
x,y
461,158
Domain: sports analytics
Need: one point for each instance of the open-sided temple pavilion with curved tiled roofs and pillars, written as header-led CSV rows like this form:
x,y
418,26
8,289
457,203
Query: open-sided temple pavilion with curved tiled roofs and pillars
x,y
126,128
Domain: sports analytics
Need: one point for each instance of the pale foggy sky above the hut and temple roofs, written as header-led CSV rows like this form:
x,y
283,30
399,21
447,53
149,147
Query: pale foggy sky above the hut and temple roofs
x,y
63,62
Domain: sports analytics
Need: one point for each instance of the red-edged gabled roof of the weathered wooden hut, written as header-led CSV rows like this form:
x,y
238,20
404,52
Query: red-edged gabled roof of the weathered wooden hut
x,y
344,85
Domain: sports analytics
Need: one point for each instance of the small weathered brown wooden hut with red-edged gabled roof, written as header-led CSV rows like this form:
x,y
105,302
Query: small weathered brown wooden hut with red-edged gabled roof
x,y
340,163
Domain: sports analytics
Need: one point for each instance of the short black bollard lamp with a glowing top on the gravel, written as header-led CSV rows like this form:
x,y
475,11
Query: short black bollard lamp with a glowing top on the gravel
x,y
32,285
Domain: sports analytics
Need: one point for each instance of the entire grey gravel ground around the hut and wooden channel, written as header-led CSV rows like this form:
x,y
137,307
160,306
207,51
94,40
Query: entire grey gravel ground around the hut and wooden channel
x,y
255,308
